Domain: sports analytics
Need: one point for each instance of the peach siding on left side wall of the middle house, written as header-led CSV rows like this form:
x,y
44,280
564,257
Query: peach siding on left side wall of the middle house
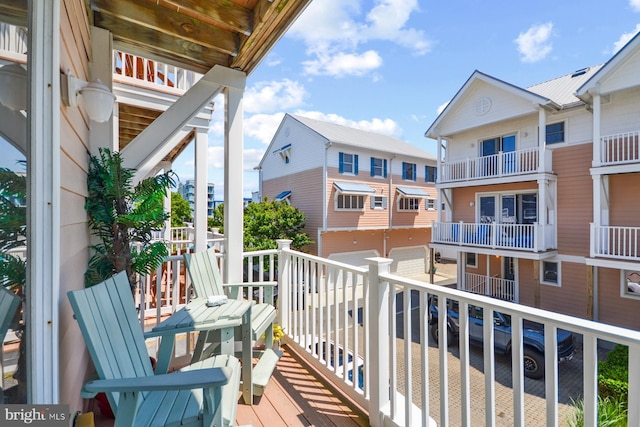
x,y
306,196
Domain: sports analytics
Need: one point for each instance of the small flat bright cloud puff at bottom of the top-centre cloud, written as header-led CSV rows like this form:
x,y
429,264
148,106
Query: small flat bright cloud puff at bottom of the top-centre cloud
x,y
343,64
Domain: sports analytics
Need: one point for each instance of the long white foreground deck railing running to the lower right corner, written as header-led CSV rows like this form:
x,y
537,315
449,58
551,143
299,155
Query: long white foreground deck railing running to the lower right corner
x,y
351,323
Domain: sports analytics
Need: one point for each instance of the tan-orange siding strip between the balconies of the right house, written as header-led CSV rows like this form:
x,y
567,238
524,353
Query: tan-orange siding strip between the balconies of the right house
x,y
574,199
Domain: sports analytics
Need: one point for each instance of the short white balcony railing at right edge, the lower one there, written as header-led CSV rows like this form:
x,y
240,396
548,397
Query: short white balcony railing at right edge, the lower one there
x,y
622,243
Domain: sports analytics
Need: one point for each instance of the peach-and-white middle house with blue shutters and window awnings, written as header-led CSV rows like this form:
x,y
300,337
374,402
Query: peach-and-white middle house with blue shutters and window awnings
x,y
364,194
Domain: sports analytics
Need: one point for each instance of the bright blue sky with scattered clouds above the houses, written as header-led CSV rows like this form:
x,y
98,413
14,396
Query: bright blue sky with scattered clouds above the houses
x,y
390,66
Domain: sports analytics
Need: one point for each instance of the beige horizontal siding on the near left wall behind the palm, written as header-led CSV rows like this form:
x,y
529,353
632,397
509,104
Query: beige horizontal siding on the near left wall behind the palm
x,y
74,235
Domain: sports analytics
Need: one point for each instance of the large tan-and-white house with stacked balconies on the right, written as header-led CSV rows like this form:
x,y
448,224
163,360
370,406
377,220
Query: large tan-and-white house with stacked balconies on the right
x,y
540,188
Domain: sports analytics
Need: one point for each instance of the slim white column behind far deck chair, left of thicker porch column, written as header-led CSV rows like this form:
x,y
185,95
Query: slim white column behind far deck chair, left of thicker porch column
x,y
200,196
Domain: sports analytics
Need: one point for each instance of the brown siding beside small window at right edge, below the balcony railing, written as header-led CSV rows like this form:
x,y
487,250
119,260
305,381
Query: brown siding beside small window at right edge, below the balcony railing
x,y
612,308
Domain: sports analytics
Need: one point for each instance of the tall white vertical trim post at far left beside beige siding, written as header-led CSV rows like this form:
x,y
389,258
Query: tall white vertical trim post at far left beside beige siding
x,y
43,207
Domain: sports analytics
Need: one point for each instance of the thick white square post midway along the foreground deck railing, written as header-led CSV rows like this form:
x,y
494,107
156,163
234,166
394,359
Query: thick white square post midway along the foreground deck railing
x,y
380,336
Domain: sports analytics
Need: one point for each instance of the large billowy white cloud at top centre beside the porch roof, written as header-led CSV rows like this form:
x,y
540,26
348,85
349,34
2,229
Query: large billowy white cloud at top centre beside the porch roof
x,y
335,31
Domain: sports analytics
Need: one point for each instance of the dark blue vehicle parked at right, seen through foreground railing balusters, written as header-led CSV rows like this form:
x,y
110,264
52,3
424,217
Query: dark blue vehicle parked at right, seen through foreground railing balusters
x,y
533,335
